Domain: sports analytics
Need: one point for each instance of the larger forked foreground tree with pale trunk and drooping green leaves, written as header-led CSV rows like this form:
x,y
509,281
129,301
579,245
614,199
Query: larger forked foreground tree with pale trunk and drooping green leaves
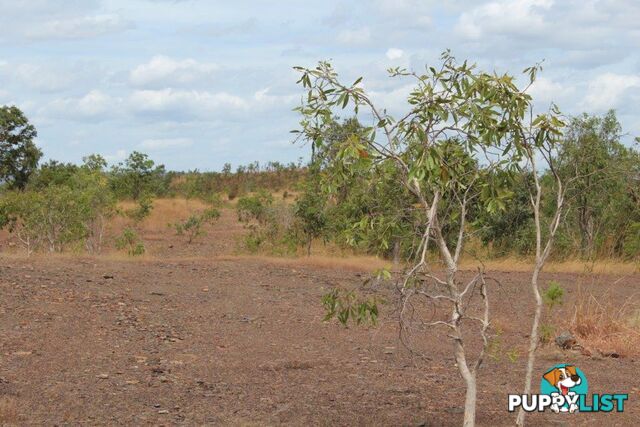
x,y
465,132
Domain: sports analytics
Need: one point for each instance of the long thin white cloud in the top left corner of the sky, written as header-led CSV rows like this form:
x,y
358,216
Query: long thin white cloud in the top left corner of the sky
x,y
79,27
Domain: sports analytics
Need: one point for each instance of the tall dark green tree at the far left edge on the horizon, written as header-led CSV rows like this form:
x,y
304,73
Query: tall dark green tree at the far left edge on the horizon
x,y
19,155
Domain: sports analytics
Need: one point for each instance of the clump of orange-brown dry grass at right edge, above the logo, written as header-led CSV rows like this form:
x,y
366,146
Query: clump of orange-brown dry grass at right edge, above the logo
x,y
606,328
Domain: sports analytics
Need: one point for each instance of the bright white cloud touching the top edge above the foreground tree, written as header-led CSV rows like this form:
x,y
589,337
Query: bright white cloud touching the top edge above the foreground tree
x,y
503,16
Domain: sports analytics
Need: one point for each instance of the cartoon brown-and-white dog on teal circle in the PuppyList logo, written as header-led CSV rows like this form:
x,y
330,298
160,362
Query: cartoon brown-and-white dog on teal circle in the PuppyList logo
x,y
565,381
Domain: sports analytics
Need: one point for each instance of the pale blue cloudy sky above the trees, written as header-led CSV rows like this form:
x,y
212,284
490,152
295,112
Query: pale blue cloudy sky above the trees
x,y
196,84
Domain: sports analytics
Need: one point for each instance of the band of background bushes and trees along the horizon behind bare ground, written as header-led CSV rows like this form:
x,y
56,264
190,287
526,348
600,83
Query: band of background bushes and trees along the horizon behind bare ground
x,y
54,206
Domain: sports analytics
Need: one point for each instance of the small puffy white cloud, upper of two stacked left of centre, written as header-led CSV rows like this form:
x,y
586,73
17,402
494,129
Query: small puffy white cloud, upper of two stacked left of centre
x,y
163,70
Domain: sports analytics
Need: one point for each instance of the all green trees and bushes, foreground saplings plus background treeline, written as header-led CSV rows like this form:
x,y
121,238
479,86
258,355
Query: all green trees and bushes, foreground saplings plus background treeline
x,y
470,172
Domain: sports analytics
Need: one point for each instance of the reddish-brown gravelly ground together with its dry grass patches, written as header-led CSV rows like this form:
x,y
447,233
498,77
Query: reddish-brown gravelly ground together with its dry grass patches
x,y
203,333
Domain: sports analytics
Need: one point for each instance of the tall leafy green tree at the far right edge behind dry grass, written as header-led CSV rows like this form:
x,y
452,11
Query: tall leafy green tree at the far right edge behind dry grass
x,y
598,169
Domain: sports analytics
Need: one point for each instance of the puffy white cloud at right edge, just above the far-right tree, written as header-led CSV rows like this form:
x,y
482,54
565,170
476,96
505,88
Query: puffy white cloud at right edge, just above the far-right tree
x,y
607,90
